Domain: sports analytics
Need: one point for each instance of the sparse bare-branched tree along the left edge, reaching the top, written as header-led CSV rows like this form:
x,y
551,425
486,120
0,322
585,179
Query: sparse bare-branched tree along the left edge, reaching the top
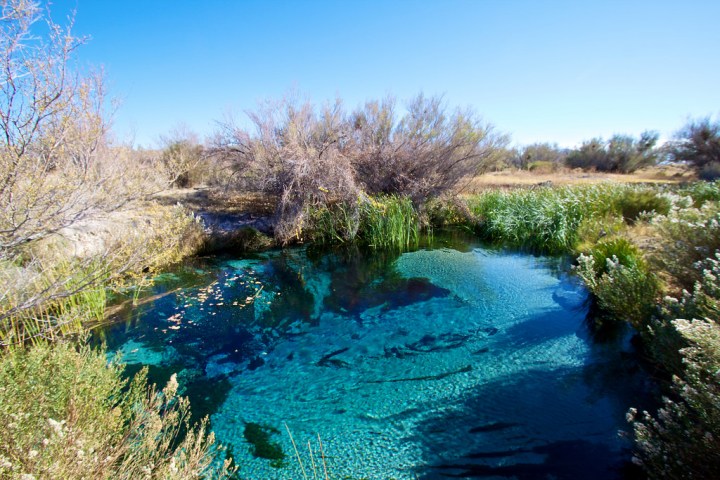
x,y
56,171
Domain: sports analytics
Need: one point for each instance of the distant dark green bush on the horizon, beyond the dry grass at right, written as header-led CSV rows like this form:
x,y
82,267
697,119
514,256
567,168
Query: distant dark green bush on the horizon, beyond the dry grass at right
x,y
621,153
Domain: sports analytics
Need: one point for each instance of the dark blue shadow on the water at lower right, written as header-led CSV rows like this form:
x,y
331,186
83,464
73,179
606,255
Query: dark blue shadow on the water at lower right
x,y
547,422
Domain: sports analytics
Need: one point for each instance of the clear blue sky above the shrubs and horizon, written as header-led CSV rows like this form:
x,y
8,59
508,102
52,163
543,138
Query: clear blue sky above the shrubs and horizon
x,y
557,71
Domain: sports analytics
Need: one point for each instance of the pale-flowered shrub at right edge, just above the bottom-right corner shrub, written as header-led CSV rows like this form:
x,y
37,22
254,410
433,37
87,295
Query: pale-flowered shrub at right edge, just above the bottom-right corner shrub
x,y
688,237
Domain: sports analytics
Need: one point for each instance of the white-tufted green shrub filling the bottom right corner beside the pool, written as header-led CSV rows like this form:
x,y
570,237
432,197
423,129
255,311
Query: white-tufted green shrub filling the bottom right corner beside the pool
x,y
681,440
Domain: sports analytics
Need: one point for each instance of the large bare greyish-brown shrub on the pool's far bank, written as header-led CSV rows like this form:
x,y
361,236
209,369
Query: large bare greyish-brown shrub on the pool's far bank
x,y
324,160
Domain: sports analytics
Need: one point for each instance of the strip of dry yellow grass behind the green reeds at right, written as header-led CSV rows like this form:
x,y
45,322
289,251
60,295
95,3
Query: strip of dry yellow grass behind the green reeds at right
x,y
523,178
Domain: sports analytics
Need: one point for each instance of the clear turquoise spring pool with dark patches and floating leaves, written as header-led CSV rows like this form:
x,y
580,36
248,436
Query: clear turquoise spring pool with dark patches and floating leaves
x,y
453,362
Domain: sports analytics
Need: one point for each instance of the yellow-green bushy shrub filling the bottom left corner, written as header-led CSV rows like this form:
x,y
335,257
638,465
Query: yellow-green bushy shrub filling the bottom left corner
x,y
67,413
